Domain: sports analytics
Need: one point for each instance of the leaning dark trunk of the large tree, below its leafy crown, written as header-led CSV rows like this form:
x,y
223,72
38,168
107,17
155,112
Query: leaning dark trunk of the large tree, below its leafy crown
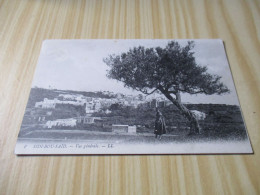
x,y
194,125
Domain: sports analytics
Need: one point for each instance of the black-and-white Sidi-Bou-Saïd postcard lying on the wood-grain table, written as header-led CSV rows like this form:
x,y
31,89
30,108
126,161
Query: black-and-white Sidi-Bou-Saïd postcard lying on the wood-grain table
x,y
133,97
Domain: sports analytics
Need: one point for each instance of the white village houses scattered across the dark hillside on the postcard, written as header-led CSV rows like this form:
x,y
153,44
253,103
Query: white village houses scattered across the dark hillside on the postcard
x,y
93,105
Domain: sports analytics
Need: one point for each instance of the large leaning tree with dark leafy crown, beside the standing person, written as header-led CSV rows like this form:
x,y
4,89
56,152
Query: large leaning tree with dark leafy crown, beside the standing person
x,y
170,71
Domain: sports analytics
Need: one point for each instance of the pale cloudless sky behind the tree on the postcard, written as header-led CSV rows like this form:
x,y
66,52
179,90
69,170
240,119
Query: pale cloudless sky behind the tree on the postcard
x,y
78,65
